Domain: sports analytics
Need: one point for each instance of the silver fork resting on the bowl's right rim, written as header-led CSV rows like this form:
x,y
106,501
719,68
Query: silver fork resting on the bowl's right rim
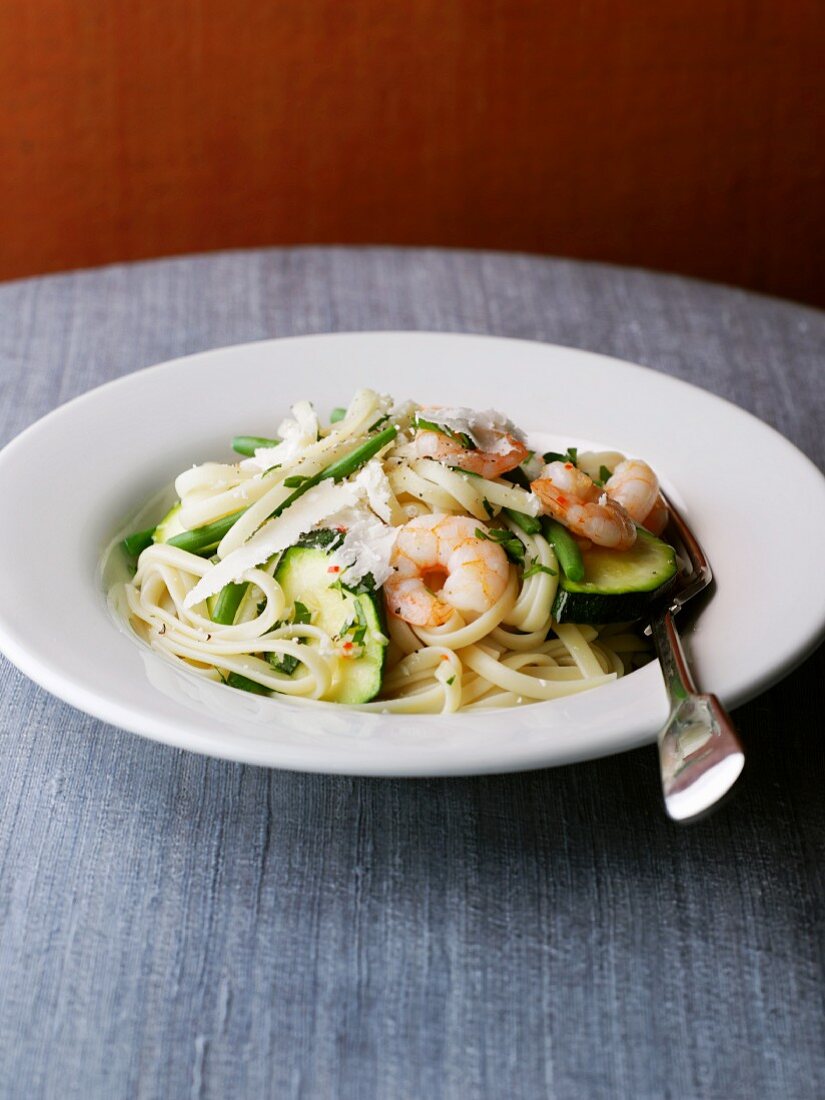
x,y
700,754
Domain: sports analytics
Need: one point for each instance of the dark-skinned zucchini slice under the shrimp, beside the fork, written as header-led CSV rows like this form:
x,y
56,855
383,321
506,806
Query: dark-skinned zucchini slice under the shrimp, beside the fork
x,y
619,586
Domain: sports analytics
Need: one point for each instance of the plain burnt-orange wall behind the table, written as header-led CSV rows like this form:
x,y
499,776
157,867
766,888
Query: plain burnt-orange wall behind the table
x,y
680,136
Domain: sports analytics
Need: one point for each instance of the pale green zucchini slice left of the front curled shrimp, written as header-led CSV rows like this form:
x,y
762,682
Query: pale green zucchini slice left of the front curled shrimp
x,y
353,620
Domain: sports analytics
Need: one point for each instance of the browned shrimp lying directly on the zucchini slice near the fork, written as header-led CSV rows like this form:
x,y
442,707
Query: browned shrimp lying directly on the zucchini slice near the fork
x,y
577,502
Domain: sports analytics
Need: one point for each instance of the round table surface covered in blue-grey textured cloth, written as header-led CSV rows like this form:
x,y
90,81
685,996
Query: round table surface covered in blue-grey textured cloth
x,y
175,927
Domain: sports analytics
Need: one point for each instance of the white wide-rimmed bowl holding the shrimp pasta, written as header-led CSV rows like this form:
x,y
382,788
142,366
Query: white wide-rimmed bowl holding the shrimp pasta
x,y
75,480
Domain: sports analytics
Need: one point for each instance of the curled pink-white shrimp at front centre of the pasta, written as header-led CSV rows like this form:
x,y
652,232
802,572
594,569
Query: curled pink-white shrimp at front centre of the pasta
x,y
442,566
